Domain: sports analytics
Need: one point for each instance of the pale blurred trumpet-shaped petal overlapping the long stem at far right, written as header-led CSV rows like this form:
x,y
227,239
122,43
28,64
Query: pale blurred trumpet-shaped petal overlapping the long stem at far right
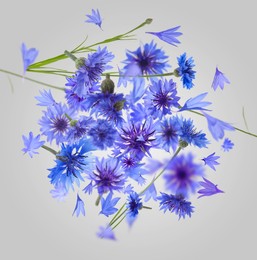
x,y
217,127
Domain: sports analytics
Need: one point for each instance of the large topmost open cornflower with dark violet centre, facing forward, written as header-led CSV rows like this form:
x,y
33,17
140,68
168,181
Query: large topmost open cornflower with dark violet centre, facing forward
x,y
149,59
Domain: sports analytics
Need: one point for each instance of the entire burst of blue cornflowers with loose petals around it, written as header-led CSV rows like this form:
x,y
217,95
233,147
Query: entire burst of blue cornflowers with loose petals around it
x,y
102,139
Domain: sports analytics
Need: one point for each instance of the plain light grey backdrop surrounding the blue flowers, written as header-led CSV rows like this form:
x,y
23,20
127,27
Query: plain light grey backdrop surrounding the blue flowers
x,y
35,226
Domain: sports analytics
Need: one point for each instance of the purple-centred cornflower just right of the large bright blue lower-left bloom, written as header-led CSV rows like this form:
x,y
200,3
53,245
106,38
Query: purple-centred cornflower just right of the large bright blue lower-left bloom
x,y
108,176
